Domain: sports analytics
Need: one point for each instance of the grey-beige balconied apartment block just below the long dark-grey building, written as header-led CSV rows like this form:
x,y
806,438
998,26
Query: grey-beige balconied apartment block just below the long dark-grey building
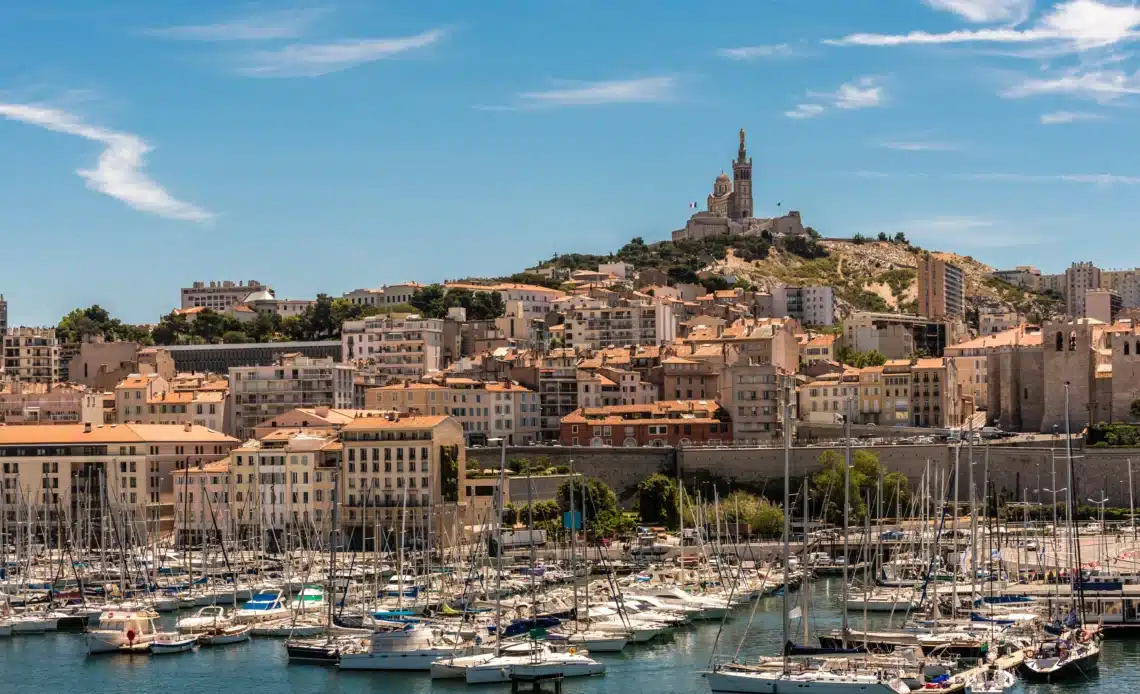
x,y
260,393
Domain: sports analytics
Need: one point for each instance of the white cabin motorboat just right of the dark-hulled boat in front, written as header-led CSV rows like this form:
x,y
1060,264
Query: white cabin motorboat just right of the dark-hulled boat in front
x,y
404,648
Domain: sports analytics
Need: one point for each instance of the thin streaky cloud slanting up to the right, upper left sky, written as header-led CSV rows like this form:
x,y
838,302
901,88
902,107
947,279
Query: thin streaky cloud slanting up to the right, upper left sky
x,y
315,60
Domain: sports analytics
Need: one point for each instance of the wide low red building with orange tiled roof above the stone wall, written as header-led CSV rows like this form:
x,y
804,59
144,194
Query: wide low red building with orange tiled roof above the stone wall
x,y
666,423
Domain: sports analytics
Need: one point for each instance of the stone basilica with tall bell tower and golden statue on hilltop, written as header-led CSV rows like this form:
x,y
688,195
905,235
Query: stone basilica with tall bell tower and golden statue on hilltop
x,y
730,209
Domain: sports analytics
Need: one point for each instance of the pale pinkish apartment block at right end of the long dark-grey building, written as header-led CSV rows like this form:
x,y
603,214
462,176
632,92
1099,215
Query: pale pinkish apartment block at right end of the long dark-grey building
x,y
395,347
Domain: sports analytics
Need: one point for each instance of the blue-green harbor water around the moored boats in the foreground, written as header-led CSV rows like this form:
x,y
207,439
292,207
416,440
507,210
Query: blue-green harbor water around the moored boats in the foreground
x,y
59,663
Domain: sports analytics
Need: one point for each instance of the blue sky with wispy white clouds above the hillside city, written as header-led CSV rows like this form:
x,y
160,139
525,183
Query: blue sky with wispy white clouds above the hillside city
x,y
328,148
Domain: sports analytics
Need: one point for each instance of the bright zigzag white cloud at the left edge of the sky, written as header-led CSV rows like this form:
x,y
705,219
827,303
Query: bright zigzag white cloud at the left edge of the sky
x,y
120,172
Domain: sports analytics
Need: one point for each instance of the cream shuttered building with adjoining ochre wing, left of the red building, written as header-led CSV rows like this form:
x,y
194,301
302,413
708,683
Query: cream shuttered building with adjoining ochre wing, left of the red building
x,y
484,410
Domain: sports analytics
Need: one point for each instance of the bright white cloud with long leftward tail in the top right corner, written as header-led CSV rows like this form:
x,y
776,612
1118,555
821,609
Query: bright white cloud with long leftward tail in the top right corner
x,y
1074,26
